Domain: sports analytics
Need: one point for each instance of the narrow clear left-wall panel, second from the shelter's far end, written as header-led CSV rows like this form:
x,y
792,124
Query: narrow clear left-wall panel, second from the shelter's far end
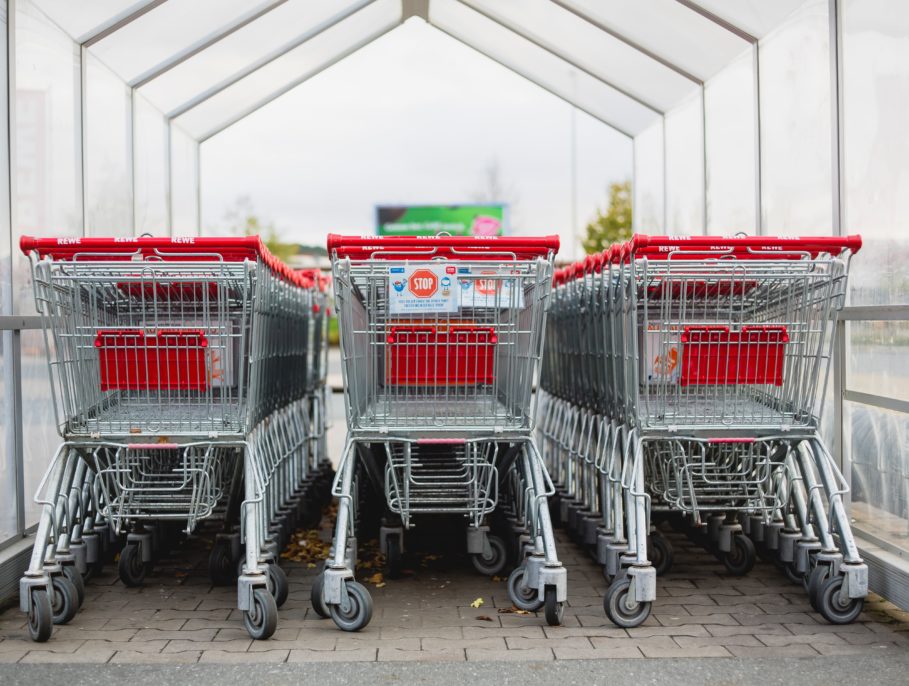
x,y
150,169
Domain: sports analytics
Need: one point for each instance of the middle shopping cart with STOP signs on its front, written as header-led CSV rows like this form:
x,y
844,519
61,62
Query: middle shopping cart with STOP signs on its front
x,y
441,340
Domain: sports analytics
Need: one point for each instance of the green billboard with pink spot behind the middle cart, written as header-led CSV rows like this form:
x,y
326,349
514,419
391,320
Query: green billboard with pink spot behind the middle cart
x,y
429,220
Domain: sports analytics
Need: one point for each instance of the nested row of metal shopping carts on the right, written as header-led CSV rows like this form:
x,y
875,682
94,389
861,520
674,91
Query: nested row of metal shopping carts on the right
x,y
684,379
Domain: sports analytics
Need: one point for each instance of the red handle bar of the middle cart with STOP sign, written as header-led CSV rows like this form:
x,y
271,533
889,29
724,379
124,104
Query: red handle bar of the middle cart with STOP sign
x,y
452,247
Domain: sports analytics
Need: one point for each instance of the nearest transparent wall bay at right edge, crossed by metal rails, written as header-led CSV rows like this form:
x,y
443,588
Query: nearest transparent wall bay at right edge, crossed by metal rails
x,y
875,78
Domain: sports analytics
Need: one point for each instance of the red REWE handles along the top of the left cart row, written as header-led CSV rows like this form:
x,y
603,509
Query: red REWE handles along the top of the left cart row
x,y
175,249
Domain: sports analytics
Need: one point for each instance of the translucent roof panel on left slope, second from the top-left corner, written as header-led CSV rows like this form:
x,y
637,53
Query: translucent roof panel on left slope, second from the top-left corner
x,y
167,30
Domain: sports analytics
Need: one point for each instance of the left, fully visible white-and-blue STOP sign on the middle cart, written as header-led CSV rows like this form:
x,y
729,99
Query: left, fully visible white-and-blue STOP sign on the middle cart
x,y
422,289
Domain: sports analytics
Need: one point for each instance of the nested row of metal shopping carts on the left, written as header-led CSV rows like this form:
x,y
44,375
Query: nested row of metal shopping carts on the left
x,y
183,395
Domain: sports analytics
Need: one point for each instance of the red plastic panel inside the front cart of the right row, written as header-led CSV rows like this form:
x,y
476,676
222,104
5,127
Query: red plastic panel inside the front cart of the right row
x,y
716,356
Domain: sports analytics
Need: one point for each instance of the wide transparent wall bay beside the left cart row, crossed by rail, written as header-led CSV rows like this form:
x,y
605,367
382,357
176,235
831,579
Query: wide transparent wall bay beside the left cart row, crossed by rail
x,y
47,200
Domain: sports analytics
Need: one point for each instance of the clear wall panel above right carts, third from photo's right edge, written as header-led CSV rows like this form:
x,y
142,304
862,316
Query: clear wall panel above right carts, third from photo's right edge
x,y
729,103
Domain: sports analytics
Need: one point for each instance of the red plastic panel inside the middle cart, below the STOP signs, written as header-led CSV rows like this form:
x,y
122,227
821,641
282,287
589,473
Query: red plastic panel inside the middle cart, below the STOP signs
x,y
429,356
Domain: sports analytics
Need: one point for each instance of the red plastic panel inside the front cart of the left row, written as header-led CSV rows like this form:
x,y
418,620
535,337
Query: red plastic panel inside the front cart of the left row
x,y
169,360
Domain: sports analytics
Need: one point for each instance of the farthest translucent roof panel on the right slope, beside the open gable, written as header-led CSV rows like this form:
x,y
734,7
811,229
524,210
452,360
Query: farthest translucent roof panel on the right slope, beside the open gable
x,y
552,73
